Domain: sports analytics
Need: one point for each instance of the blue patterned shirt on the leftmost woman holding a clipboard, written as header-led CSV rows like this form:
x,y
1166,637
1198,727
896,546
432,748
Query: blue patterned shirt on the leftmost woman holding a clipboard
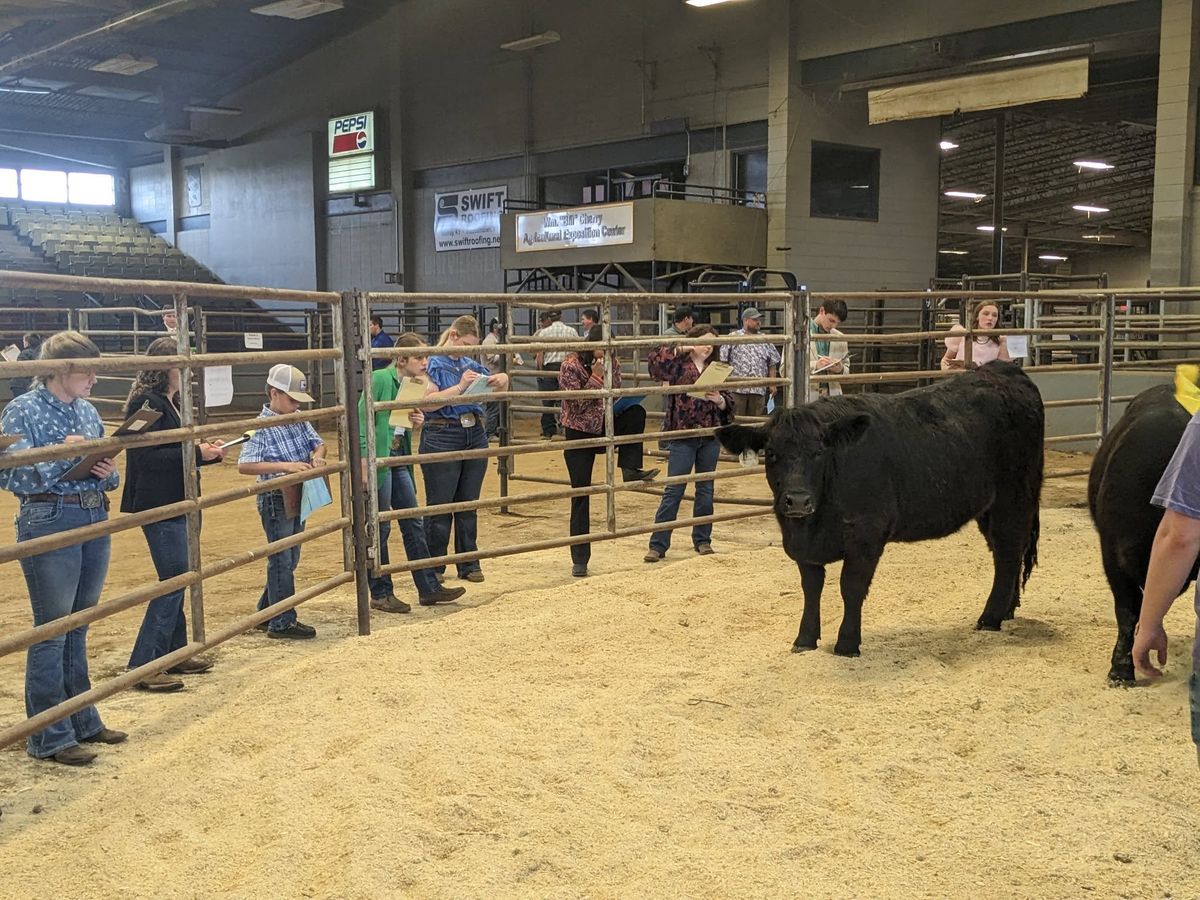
x,y
45,421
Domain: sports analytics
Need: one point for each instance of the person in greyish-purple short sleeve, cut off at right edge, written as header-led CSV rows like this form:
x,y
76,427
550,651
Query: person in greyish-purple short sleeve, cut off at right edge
x,y
1177,547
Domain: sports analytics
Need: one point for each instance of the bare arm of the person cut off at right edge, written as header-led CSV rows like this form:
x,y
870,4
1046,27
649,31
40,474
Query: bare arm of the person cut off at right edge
x,y
1175,550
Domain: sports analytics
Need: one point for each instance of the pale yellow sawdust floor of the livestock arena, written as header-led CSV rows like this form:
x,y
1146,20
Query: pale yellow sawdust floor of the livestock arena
x,y
641,733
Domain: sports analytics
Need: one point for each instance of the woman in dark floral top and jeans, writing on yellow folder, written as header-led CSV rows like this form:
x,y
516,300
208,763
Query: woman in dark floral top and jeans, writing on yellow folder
x,y
679,367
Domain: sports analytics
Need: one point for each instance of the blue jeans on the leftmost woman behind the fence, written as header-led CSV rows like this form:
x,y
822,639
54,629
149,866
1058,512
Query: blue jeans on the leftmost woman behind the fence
x,y
61,583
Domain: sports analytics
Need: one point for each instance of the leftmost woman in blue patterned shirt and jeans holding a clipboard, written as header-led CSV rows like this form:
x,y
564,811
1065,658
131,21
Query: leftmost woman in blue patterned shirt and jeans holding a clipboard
x,y
68,580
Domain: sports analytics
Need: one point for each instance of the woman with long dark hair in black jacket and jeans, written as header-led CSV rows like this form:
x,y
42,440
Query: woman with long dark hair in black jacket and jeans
x,y
154,478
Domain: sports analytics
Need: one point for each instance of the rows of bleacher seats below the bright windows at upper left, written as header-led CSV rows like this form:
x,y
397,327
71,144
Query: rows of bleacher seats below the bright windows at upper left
x,y
101,244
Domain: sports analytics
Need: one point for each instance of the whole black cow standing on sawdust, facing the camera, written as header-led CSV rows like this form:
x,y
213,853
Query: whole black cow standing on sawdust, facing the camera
x,y
851,475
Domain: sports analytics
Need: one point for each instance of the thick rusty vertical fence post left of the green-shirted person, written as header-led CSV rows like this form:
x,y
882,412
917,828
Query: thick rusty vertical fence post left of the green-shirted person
x,y
353,491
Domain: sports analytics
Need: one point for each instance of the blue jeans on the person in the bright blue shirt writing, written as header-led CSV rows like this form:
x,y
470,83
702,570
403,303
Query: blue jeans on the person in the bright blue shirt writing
x,y
455,482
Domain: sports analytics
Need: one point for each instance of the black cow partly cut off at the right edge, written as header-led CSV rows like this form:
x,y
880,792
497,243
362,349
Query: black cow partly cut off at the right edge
x,y
1124,477
